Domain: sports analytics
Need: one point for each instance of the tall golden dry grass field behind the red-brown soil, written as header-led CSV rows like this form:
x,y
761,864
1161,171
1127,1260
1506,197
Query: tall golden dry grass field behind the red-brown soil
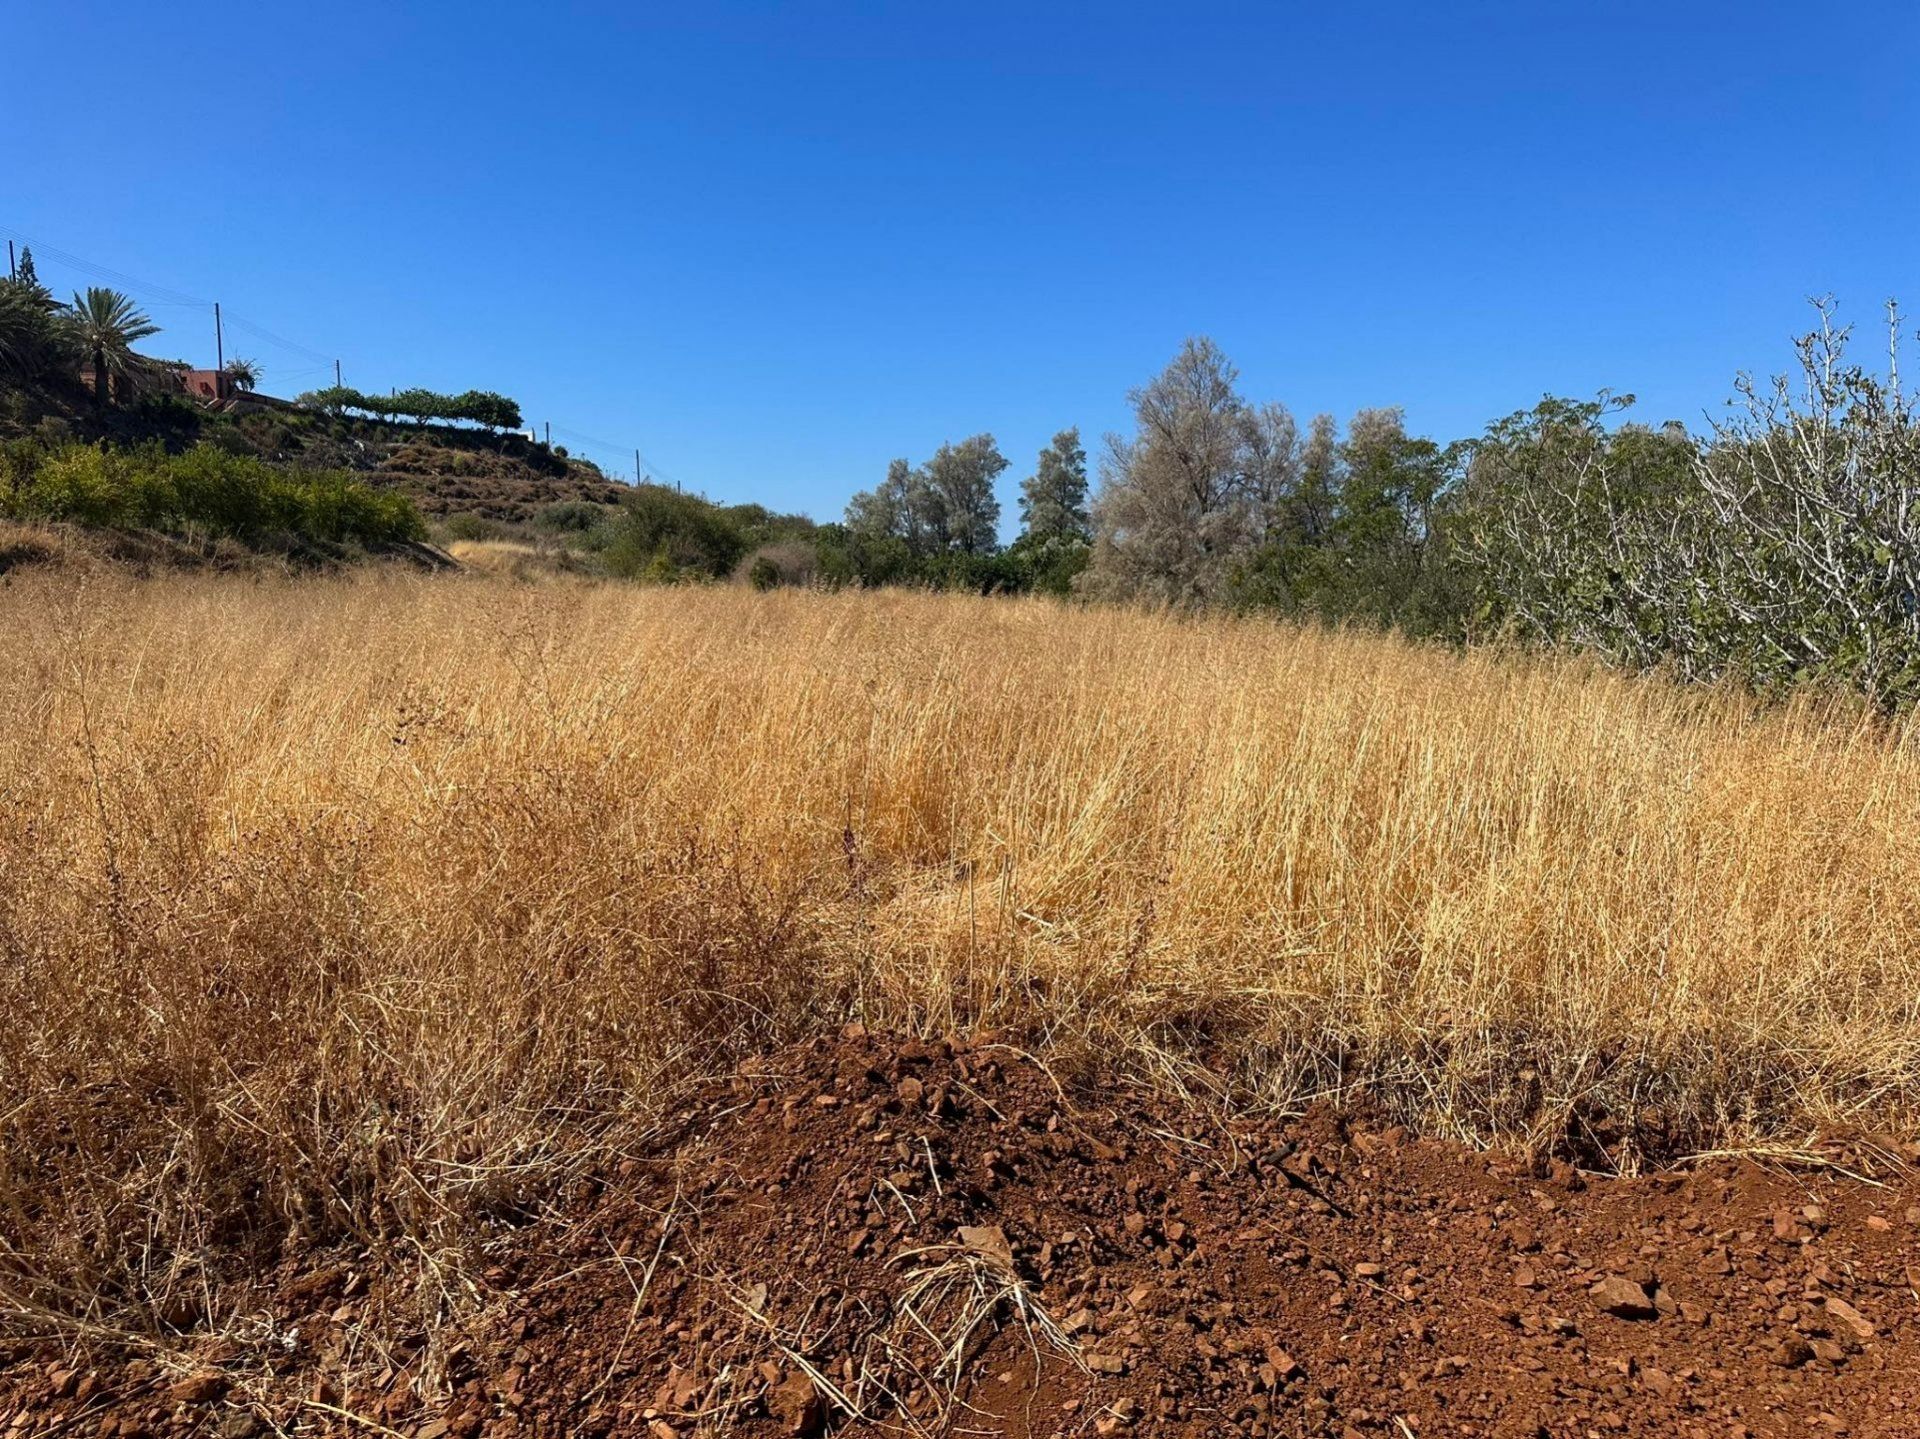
x,y
381,906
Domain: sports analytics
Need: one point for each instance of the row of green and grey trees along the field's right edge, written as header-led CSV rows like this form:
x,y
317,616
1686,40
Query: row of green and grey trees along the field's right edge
x,y
1777,547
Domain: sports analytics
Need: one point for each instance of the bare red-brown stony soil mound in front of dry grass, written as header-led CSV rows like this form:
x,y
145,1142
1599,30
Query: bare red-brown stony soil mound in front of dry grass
x,y
886,1238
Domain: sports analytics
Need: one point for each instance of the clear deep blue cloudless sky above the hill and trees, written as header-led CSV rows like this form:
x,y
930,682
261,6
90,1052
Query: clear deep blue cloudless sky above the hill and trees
x,y
777,245
